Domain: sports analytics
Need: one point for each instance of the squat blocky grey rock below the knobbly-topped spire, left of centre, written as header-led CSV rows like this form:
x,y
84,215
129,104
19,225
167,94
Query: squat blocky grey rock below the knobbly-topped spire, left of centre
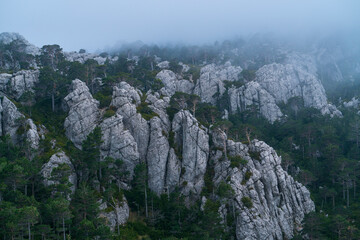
x,y
118,143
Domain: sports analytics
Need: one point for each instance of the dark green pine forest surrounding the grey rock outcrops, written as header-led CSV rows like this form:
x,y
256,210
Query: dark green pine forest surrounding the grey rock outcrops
x,y
321,152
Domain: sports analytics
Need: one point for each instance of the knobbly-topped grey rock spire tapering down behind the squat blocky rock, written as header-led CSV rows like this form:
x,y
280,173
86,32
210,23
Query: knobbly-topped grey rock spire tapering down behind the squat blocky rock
x,y
125,98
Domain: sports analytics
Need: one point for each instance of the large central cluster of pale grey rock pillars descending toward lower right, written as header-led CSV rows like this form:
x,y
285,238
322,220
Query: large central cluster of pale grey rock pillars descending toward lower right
x,y
177,153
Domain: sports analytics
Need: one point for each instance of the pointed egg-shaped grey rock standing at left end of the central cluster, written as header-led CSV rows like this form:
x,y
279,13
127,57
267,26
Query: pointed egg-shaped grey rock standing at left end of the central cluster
x,y
83,115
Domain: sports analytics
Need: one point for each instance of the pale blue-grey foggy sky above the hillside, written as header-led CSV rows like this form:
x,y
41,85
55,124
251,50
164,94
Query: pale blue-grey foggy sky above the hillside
x,y
95,24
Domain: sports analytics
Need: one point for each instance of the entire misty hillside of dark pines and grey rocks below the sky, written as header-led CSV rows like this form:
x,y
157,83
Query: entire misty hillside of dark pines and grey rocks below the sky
x,y
244,139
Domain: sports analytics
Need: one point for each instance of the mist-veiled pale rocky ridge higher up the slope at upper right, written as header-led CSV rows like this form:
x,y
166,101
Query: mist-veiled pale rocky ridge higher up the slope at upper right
x,y
274,84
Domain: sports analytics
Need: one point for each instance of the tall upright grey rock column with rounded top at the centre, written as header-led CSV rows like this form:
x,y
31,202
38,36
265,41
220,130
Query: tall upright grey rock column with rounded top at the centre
x,y
192,140
